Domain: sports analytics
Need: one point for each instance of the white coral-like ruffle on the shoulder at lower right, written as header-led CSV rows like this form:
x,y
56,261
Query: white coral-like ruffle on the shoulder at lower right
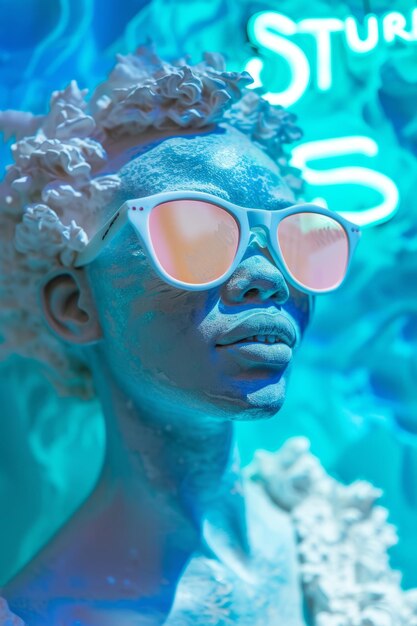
x,y
343,540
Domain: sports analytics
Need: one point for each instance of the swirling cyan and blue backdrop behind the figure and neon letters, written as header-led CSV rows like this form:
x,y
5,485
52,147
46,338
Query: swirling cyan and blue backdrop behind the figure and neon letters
x,y
353,391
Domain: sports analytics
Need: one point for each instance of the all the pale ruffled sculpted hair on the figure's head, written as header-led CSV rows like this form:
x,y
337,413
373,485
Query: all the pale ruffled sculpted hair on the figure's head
x,y
53,195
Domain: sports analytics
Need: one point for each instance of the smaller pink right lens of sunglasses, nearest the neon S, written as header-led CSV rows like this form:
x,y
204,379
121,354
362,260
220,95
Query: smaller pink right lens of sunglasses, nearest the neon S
x,y
315,249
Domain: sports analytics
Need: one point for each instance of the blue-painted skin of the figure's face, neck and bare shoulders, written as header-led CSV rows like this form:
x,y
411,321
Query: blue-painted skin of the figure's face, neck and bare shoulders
x,y
172,534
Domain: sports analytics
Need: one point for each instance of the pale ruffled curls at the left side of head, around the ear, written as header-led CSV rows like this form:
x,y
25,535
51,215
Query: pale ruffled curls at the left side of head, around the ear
x,y
50,203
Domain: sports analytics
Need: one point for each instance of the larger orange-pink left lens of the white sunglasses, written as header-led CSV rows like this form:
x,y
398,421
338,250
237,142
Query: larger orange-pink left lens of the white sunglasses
x,y
195,242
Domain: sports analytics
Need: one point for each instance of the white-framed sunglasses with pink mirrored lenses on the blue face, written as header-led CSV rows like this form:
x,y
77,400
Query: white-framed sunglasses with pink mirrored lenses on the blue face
x,y
196,240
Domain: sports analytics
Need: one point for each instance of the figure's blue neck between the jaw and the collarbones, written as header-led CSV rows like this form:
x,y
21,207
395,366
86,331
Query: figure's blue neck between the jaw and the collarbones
x,y
188,461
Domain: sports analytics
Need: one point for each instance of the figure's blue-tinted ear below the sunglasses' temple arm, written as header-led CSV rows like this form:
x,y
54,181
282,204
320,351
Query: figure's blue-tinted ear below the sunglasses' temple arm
x,y
69,307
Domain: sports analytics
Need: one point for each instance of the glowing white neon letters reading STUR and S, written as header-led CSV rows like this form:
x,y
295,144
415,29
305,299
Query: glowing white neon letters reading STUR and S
x,y
278,38
